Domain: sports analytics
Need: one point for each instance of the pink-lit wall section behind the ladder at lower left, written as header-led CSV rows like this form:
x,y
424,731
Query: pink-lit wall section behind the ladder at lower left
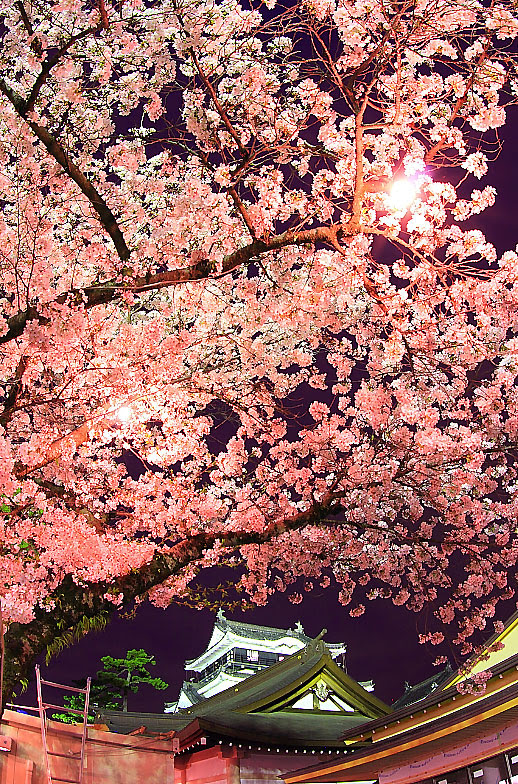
x,y
110,758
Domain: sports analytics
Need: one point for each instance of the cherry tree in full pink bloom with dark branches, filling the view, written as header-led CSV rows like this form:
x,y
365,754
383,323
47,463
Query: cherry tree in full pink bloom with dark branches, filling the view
x,y
247,310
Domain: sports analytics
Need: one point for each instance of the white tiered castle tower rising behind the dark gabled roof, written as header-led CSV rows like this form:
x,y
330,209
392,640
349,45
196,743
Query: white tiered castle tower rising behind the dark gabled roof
x,y
237,651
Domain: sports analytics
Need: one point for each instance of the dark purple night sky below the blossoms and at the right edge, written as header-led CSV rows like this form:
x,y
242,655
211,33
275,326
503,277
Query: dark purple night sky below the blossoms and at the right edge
x,y
382,644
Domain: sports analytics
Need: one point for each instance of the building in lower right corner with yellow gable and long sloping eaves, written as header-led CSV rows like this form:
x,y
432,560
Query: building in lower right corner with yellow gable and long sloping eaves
x,y
465,731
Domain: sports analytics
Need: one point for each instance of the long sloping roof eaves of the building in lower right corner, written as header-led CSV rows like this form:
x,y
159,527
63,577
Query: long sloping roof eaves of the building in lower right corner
x,y
412,735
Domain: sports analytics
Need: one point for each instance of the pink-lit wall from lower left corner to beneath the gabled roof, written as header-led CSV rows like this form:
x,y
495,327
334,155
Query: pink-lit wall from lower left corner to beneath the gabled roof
x,y
130,759
